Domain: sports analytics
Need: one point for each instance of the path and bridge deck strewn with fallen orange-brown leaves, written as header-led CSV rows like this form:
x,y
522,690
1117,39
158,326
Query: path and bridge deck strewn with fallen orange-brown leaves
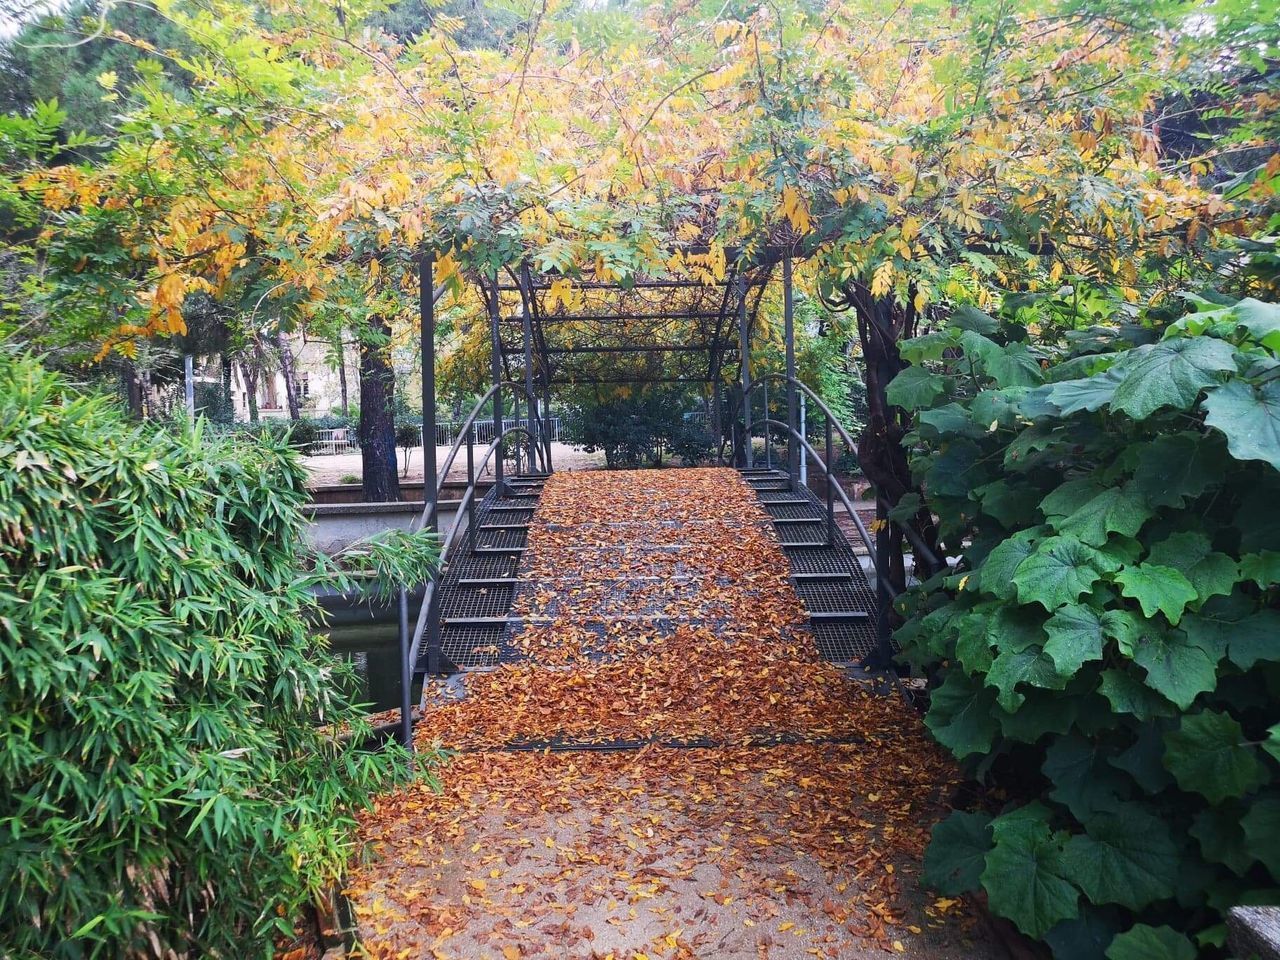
x,y
659,611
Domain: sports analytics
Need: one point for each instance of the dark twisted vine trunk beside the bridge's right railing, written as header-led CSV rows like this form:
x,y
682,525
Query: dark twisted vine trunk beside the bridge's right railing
x,y
883,324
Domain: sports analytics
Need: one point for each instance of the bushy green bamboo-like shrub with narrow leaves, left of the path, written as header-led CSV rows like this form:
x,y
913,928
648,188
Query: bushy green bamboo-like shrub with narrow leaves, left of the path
x,y
171,776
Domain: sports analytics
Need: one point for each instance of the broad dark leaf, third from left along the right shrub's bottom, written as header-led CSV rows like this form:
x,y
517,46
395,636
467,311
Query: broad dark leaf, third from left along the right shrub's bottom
x,y
1123,858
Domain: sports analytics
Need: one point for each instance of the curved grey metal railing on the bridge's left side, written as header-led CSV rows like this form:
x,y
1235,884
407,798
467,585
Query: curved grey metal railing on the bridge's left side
x,y
429,614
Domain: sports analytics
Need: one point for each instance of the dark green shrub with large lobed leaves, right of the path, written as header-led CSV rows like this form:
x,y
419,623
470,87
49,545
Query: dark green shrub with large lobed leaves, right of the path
x,y
1109,648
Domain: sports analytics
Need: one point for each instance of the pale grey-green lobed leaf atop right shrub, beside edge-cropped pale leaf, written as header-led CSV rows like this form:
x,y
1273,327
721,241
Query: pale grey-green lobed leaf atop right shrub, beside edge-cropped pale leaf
x,y
1171,374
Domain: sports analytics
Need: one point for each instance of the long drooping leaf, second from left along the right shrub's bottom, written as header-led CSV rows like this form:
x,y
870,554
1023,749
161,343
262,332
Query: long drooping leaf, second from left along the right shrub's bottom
x,y
1025,877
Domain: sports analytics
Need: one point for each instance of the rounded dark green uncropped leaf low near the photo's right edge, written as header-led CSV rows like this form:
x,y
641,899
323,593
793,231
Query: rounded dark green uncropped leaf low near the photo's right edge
x,y
1209,756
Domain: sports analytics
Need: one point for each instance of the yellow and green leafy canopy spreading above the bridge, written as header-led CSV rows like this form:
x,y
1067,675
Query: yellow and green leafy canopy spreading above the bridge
x,y
925,153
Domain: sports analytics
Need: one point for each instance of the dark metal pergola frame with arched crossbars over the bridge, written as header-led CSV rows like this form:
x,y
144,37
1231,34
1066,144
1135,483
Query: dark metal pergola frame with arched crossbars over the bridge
x,y
644,331
